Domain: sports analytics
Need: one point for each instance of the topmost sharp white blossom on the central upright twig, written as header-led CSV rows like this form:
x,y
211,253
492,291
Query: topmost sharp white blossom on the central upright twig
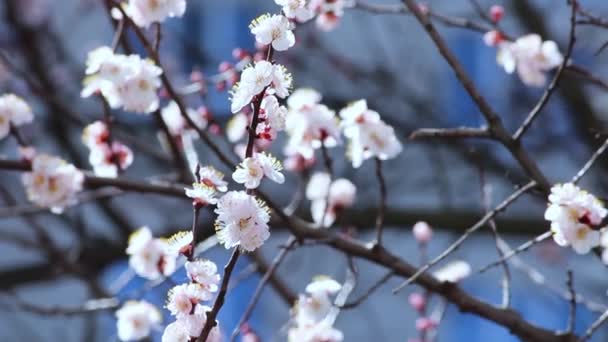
x,y
273,29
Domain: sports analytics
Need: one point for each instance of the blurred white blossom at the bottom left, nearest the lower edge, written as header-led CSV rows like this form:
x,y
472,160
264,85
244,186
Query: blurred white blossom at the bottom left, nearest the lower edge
x,y
135,320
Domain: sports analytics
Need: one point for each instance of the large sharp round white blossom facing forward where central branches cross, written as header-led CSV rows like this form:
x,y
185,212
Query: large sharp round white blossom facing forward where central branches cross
x,y
242,221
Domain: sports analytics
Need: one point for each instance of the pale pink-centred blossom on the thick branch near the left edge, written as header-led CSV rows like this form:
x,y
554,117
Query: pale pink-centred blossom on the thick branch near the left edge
x,y
53,183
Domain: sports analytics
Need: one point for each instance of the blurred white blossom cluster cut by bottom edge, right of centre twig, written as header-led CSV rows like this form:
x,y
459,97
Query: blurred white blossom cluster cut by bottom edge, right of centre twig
x,y
311,315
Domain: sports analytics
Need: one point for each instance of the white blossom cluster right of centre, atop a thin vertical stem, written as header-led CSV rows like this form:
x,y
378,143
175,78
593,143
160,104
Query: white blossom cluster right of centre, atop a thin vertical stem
x,y
368,135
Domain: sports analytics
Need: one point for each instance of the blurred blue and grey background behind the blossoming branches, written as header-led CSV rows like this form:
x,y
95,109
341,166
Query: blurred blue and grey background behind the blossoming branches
x,y
385,58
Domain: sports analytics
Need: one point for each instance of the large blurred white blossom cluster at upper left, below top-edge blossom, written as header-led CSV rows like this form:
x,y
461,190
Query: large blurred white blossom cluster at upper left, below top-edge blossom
x,y
126,81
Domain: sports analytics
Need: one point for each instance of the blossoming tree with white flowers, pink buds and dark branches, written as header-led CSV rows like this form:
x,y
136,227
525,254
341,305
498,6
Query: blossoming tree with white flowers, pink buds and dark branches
x,y
279,129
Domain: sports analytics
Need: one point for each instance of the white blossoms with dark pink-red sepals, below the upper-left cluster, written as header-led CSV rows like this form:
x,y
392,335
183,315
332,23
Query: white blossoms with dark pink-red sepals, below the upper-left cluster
x,y
107,158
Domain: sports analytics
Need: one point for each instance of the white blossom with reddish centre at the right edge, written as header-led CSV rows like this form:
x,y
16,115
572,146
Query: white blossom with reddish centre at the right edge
x,y
575,217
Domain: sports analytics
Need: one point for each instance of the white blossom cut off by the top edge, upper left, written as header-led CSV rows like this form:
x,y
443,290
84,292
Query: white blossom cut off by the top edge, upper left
x,y
146,12
